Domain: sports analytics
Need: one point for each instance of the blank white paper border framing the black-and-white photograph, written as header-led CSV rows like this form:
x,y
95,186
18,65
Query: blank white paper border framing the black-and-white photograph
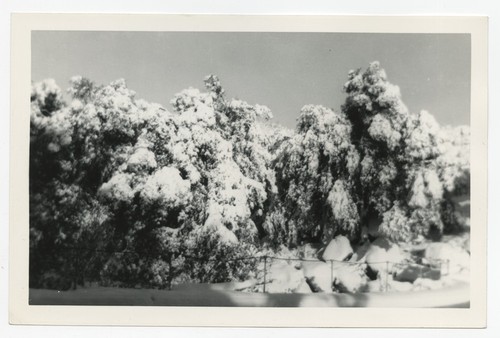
x,y
21,313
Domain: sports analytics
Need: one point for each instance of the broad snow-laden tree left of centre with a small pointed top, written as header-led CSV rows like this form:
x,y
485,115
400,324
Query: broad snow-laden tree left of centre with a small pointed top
x,y
209,152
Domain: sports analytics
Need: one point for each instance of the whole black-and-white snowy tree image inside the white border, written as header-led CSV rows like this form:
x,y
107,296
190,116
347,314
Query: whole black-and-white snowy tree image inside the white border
x,y
250,169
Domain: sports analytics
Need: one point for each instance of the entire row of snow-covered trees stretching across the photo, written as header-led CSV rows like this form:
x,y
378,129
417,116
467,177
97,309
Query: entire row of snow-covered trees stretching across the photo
x,y
125,192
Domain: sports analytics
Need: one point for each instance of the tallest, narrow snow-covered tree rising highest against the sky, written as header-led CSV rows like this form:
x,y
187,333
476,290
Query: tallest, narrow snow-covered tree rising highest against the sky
x,y
379,126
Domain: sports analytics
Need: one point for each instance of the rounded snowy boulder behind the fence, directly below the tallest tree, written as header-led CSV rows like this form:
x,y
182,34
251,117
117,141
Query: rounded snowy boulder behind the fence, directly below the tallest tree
x,y
383,256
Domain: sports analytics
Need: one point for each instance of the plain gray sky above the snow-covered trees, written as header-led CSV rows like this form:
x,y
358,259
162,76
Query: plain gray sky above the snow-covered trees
x,y
284,71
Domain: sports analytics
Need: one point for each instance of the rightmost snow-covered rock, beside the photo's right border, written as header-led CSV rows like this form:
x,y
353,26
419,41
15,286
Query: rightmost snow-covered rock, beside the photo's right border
x,y
451,259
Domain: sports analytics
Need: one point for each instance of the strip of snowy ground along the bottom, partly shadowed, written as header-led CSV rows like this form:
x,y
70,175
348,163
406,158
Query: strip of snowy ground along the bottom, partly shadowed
x,y
223,295
